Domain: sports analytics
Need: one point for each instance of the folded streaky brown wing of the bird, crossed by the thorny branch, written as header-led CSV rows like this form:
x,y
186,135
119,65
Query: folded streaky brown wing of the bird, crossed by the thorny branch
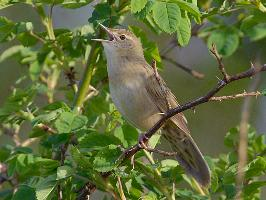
x,y
164,98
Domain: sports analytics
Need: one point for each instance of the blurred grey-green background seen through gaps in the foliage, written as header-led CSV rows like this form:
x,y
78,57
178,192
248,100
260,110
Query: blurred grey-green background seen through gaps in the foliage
x,y
210,122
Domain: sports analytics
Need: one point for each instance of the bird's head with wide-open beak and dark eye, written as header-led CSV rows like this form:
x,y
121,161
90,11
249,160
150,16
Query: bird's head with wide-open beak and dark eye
x,y
120,41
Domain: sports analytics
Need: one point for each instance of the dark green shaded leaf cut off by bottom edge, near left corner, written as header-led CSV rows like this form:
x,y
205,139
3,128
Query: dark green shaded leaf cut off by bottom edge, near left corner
x,y
24,192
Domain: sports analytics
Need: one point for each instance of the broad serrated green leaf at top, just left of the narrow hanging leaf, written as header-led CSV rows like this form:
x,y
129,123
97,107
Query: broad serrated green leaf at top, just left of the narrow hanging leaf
x,y
166,15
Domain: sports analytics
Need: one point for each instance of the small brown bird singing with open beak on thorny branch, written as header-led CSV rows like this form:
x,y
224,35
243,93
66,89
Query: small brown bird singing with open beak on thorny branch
x,y
142,97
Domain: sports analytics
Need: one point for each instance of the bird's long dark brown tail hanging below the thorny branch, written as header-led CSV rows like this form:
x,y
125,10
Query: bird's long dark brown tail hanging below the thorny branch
x,y
188,154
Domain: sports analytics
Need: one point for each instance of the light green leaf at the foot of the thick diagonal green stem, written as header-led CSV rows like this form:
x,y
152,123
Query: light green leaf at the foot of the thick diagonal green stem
x,y
69,122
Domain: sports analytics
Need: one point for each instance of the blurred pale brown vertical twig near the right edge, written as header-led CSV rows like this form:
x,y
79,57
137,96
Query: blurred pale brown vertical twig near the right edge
x,y
243,138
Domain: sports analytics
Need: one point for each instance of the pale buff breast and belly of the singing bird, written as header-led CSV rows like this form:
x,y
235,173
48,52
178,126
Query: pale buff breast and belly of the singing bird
x,y
128,92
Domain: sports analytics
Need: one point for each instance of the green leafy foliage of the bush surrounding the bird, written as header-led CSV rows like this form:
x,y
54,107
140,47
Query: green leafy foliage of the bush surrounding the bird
x,y
81,138
